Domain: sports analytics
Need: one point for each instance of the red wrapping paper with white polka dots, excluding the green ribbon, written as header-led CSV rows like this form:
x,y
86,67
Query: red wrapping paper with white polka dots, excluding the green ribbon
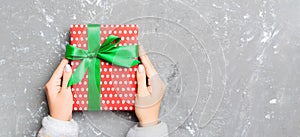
x,y
118,84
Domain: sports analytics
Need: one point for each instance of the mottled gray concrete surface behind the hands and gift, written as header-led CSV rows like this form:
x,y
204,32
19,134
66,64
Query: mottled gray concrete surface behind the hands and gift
x,y
231,66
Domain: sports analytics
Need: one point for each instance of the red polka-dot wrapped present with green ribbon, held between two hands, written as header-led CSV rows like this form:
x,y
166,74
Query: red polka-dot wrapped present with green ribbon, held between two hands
x,y
104,62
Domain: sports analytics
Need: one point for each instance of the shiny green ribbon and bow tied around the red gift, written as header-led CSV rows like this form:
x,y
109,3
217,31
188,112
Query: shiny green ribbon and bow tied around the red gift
x,y
125,56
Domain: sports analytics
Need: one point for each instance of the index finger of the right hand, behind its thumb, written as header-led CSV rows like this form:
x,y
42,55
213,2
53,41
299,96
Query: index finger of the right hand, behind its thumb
x,y
150,70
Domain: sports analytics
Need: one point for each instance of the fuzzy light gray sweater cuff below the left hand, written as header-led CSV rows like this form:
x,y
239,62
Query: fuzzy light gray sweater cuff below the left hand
x,y
57,128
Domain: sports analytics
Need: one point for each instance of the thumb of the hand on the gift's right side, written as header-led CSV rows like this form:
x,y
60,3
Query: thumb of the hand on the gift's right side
x,y
141,79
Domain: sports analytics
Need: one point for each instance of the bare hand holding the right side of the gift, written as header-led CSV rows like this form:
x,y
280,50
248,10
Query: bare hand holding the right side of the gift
x,y
149,97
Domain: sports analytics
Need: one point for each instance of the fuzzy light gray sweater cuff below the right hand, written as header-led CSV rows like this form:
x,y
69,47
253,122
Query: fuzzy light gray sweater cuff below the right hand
x,y
159,130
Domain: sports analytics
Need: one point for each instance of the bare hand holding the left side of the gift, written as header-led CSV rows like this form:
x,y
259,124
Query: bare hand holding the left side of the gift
x,y
59,96
